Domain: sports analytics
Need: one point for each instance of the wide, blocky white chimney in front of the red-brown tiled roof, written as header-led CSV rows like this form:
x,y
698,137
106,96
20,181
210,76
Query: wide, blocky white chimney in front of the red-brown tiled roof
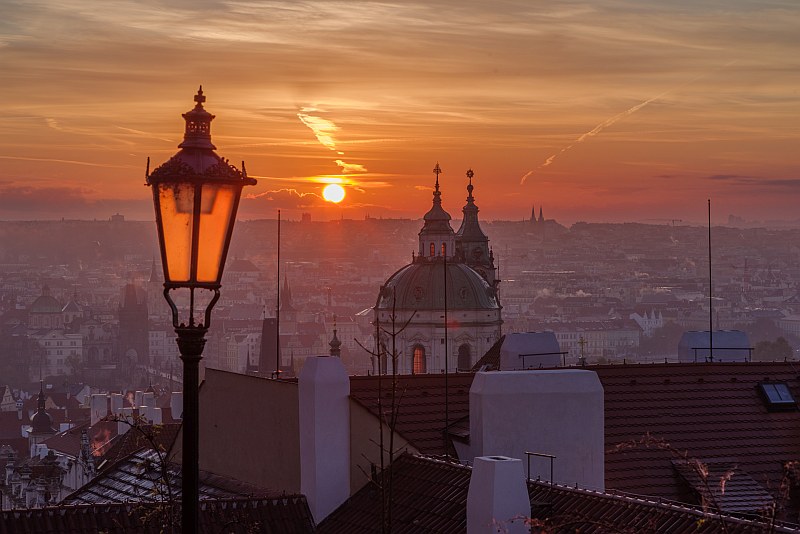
x,y
553,412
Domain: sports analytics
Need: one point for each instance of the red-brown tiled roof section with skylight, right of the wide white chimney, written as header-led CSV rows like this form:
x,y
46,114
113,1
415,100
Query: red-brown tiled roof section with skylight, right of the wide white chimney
x,y
656,413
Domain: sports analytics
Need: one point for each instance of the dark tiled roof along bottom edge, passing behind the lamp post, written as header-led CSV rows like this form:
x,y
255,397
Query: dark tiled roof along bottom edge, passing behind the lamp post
x,y
287,514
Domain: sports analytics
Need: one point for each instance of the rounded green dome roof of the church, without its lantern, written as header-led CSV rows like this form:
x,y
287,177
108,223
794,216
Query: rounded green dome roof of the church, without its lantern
x,y
420,286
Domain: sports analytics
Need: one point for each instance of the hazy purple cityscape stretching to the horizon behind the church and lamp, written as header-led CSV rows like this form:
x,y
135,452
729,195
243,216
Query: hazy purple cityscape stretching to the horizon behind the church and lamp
x,y
628,290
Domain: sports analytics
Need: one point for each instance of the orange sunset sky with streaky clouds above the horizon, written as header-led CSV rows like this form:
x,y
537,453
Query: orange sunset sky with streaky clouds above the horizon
x,y
610,110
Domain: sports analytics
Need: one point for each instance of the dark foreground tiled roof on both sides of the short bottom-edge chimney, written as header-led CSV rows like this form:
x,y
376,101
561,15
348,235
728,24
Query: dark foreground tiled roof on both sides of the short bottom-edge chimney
x,y
430,496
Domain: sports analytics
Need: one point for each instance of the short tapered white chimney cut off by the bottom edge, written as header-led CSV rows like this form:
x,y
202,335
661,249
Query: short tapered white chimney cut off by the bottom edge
x,y
497,500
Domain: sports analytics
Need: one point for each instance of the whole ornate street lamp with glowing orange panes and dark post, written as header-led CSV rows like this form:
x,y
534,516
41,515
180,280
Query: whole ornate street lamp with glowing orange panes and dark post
x,y
196,195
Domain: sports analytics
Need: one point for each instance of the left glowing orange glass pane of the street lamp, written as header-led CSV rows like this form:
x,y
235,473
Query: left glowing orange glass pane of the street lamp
x,y
176,201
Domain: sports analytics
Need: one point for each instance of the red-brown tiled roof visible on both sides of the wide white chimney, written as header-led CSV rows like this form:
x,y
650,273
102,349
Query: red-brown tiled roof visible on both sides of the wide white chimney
x,y
654,414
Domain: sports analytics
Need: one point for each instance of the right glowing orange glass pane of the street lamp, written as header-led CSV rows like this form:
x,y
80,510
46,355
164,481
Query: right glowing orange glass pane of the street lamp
x,y
216,216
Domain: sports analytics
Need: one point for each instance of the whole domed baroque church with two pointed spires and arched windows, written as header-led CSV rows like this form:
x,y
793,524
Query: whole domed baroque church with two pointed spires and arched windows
x,y
441,312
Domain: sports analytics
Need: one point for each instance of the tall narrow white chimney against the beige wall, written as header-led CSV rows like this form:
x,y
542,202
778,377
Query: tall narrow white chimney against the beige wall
x,y
324,411
